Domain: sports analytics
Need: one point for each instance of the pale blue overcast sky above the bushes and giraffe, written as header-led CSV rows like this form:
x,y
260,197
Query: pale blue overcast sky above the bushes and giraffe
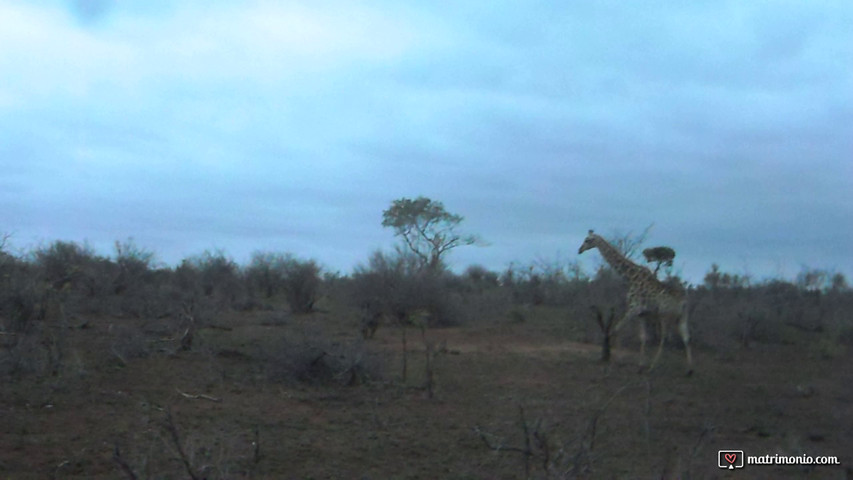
x,y
291,125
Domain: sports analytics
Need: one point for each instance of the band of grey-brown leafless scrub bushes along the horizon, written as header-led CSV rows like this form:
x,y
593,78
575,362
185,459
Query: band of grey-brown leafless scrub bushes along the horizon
x,y
58,286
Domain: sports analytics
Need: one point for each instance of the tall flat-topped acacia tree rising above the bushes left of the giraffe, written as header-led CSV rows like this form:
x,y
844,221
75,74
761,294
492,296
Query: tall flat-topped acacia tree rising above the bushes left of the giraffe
x,y
427,229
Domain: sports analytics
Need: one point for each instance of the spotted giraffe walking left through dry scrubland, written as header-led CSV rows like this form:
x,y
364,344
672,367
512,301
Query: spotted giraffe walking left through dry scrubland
x,y
646,296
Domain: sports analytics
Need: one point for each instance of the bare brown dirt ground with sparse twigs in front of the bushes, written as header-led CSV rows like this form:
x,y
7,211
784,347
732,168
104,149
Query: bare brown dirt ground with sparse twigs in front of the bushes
x,y
511,400
